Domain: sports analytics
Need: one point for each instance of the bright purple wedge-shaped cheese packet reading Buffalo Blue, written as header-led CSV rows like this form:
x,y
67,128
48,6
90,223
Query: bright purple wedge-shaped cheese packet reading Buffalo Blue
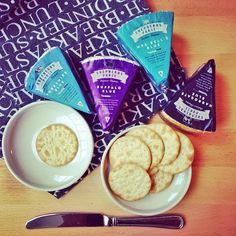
x,y
109,78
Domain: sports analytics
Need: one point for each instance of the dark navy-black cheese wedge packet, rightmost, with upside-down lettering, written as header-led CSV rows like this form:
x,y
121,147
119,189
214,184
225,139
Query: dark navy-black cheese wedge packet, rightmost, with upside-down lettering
x,y
193,107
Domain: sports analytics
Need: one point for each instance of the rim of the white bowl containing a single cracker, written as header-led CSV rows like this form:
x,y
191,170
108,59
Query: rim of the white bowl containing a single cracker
x,y
4,144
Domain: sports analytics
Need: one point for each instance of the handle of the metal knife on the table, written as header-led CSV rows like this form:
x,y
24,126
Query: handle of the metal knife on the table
x,y
159,221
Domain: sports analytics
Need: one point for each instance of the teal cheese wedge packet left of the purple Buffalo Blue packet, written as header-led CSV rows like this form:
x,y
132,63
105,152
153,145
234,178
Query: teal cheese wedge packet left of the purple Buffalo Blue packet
x,y
51,77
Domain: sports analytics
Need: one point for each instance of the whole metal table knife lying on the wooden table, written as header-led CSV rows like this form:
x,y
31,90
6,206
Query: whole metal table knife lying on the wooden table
x,y
73,219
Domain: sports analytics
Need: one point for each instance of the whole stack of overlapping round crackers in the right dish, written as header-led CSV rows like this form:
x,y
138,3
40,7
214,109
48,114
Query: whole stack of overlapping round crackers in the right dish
x,y
145,160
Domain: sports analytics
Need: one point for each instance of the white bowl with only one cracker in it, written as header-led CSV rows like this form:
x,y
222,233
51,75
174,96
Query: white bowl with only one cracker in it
x,y
20,152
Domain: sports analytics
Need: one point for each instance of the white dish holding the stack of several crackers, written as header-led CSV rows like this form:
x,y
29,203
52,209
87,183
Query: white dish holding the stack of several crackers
x,y
153,203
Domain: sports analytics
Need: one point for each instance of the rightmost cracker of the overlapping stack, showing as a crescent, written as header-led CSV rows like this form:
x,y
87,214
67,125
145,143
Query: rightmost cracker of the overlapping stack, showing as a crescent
x,y
184,159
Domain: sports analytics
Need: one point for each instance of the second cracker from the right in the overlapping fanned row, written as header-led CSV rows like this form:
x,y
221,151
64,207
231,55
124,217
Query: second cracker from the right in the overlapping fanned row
x,y
170,140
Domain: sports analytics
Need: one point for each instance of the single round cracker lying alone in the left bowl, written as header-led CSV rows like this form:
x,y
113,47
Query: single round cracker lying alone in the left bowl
x,y
57,145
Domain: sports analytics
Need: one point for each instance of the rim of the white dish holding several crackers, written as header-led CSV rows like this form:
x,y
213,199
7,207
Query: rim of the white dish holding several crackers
x,y
113,197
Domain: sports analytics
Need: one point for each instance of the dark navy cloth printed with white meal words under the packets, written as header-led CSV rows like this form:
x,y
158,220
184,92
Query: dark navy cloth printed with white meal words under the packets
x,y
81,28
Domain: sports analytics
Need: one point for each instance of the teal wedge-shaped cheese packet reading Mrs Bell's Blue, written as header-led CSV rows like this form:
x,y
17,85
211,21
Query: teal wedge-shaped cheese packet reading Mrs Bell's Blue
x,y
148,39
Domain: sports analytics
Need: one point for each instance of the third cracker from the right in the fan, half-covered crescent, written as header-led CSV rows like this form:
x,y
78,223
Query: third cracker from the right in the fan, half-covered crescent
x,y
153,141
